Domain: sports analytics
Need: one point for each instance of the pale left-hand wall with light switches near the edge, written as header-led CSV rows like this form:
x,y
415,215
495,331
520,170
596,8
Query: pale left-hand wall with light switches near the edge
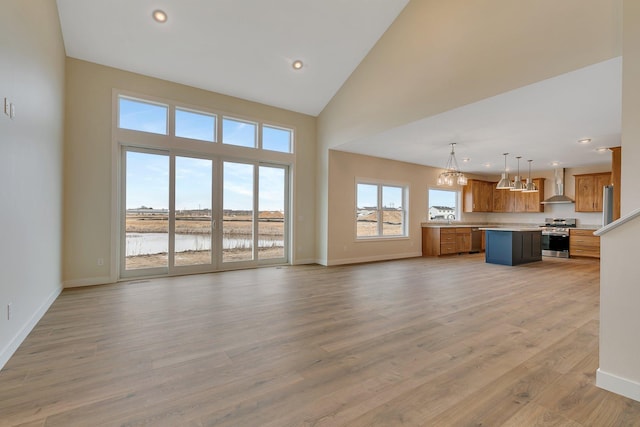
x,y
31,146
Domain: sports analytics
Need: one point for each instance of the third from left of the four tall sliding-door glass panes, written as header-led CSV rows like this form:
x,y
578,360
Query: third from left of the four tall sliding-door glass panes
x,y
237,224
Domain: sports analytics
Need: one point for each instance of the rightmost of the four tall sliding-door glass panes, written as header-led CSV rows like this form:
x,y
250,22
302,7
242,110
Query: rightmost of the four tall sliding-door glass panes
x,y
271,199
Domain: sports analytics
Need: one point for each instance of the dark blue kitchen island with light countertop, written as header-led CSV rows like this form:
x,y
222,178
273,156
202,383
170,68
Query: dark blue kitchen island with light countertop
x,y
513,246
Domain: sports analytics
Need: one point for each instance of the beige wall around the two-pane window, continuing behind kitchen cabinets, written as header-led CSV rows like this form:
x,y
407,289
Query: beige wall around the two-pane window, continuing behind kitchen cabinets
x,y
346,168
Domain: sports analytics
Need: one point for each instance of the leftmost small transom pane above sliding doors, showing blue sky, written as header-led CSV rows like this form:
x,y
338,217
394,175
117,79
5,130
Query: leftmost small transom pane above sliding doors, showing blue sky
x,y
142,116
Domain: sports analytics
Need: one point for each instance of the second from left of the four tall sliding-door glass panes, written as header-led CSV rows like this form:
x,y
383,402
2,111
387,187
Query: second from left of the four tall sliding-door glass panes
x,y
193,211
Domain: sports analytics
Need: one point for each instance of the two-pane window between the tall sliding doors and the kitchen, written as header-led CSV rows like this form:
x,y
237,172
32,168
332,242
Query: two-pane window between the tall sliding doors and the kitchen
x,y
380,210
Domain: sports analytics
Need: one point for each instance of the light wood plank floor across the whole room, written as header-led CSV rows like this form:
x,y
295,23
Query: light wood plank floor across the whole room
x,y
420,342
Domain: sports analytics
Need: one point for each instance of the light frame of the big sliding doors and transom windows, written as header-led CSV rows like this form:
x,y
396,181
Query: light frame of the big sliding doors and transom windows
x,y
124,139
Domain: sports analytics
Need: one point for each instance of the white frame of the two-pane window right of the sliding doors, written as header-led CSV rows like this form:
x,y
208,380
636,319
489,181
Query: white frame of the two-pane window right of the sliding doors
x,y
380,209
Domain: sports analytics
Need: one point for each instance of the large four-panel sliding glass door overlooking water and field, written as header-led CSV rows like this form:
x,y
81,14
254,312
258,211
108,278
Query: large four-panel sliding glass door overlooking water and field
x,y
180,216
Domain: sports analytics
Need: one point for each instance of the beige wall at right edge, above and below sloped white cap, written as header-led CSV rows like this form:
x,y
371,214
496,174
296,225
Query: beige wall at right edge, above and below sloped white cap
x,y
619,369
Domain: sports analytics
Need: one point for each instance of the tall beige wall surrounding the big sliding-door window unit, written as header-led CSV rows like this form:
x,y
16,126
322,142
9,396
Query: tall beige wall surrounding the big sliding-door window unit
x,y
89,169
